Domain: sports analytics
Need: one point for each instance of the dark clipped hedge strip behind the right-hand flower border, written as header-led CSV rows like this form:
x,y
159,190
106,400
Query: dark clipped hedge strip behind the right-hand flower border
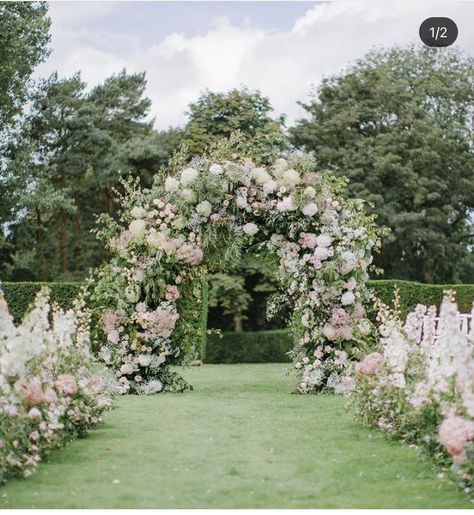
x,y
412,293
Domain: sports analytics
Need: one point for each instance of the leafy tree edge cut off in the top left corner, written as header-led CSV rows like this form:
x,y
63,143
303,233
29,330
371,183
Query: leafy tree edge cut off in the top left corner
x,y
24,35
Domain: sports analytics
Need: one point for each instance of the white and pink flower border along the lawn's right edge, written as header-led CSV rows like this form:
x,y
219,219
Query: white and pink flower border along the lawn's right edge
x,y
419,384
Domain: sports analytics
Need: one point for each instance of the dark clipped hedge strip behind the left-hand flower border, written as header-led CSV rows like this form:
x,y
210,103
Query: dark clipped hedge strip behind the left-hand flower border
x,y
19,296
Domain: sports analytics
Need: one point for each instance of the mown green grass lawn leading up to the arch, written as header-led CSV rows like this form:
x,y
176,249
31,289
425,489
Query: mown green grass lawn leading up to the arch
x,y
239,440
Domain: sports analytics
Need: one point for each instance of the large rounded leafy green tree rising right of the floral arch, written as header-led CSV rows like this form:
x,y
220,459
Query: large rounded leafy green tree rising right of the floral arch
x,y
399,125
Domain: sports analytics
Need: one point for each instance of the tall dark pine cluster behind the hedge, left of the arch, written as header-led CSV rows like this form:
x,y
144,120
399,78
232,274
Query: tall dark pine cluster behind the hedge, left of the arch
x,y
73,150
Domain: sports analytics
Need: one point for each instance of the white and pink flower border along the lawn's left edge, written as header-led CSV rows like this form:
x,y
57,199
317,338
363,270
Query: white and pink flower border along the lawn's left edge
x,y
51,389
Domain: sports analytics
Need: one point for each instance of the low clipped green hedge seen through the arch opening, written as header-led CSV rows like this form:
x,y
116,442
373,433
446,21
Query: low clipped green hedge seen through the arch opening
x,y
255,347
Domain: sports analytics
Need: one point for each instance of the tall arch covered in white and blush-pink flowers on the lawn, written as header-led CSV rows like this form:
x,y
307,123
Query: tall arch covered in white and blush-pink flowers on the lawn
x,y
148,298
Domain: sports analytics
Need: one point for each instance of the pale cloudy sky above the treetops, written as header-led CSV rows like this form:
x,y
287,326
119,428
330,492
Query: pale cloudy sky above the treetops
x,y
282,48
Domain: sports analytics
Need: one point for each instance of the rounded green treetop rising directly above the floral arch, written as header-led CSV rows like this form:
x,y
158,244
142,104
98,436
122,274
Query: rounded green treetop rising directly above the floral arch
x,y
215,116
